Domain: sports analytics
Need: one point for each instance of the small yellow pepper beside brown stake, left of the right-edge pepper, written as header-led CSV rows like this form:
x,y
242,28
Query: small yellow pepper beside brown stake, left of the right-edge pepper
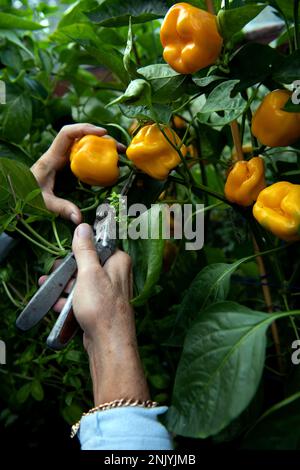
x,y
245,181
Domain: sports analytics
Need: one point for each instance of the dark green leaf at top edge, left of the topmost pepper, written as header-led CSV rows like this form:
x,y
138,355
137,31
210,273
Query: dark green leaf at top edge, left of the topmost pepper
x,y
114,13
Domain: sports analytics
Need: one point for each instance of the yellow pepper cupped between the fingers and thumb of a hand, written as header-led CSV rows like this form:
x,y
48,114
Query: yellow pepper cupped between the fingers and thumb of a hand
x,y
94,160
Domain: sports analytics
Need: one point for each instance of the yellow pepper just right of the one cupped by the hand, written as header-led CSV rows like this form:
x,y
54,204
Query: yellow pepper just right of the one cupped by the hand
x,y
151,152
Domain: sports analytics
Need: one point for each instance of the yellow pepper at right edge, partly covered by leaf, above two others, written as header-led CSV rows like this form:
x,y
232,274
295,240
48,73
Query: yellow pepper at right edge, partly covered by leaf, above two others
x,y
273,126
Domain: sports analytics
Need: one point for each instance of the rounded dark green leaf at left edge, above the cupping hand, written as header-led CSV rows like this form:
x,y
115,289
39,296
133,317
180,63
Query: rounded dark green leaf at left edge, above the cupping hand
x,y
17,116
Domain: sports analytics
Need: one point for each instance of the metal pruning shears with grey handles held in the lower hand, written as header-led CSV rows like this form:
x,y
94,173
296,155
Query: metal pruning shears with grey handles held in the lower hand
x,y
66,325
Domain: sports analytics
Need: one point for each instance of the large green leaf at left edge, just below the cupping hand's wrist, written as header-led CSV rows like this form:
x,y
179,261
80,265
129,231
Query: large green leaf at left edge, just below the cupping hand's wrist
x,y
16,182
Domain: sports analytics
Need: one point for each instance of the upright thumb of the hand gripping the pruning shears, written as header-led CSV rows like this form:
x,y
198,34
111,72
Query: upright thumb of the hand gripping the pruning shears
x,y
84,248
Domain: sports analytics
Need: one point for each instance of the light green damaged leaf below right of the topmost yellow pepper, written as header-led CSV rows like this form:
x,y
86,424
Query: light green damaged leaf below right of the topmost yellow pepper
x,y
220,99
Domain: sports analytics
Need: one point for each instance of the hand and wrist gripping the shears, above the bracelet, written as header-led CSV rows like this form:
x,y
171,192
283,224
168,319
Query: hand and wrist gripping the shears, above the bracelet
x,y
102,308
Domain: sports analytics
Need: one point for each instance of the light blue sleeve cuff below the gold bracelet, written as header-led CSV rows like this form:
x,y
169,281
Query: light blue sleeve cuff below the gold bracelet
x,y
125,428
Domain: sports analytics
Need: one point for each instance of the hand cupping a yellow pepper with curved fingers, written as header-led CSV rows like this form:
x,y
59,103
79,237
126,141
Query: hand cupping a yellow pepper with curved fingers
x,y
56,157
